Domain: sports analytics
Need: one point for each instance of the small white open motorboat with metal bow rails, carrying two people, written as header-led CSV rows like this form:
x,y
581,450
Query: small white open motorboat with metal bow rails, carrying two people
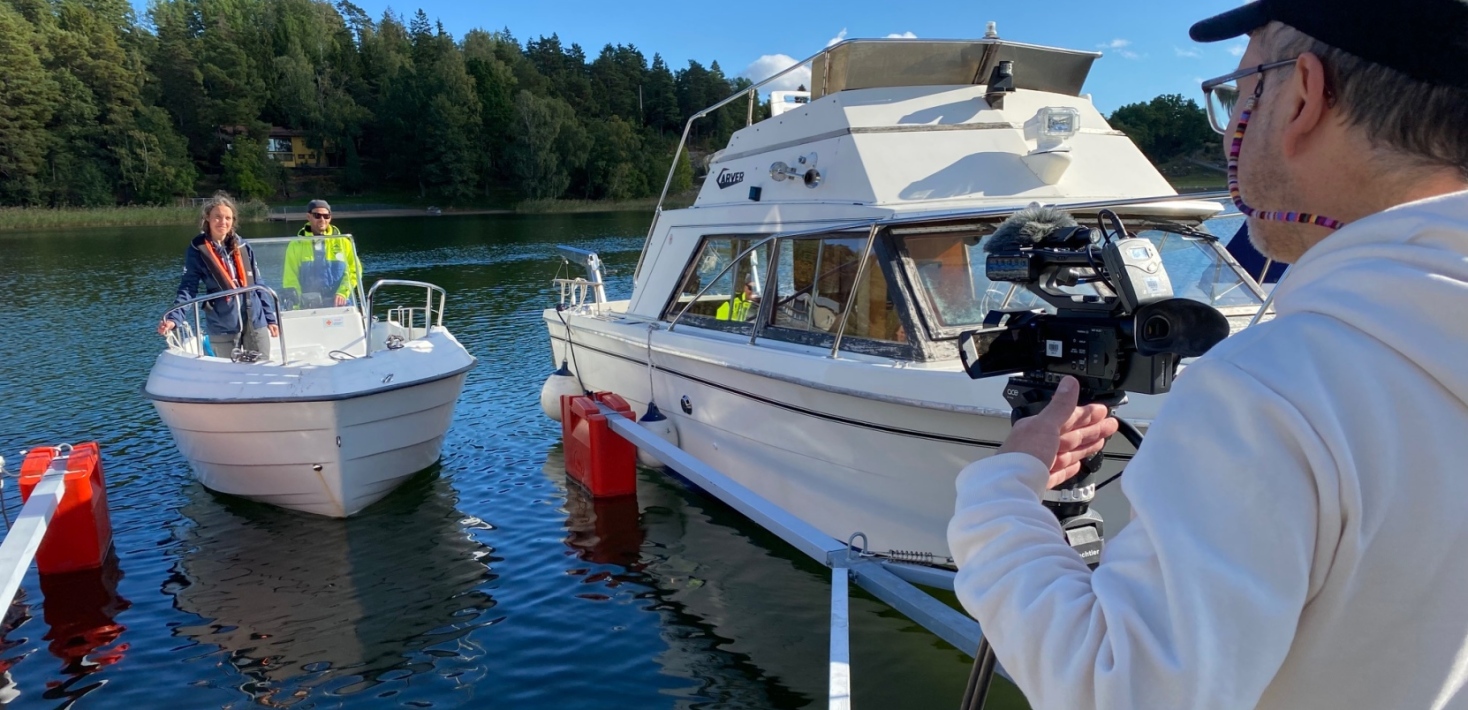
x,y
346,407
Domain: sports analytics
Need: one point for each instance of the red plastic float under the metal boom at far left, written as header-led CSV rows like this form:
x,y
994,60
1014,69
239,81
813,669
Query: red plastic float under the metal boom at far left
x,y
80,535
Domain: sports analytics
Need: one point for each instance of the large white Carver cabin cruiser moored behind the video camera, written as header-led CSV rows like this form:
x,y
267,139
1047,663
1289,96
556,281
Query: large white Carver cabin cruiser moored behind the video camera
x,y
833,387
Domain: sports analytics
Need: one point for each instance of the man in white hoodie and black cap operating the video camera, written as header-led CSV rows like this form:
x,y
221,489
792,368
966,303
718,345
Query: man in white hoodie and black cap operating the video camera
x,y
1300,535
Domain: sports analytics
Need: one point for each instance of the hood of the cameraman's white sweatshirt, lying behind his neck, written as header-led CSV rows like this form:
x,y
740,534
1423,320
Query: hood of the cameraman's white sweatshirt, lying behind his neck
x,y
1400,277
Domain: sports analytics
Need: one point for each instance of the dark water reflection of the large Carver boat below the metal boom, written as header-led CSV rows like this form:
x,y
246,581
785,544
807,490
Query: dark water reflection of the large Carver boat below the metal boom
x,y
746,617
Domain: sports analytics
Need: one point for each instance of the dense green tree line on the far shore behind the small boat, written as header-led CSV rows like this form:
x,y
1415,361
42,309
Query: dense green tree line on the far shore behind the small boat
x,y
101,108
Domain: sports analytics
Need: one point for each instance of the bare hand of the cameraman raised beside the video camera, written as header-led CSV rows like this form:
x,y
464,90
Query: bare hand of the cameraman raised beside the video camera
x,y
1062,435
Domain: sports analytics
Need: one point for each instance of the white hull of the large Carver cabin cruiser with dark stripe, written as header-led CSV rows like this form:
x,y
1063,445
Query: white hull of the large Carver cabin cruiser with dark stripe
x,y
846,461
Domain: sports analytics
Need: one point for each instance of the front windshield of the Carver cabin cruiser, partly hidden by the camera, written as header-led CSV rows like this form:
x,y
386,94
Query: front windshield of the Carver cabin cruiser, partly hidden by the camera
x,y
949,269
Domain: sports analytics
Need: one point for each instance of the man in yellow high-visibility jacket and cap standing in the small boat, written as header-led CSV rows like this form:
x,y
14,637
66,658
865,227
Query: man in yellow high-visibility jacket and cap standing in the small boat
x,y
319,268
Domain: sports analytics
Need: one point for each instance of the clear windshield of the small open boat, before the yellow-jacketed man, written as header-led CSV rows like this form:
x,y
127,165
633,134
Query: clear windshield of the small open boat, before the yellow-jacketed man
x,y
310,272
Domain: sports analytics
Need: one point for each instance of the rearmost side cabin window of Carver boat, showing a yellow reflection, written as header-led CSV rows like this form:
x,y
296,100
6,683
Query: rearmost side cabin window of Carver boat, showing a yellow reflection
x,y
720,296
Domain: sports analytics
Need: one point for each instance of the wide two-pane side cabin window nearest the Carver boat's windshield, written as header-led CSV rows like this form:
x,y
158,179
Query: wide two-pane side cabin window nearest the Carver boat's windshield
x,y
815,281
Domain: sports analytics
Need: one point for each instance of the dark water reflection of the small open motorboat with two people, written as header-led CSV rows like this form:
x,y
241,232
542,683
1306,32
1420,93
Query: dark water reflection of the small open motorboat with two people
x,y
300,602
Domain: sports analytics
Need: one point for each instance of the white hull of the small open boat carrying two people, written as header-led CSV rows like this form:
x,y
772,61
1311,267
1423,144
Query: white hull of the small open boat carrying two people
x,y
327,457
